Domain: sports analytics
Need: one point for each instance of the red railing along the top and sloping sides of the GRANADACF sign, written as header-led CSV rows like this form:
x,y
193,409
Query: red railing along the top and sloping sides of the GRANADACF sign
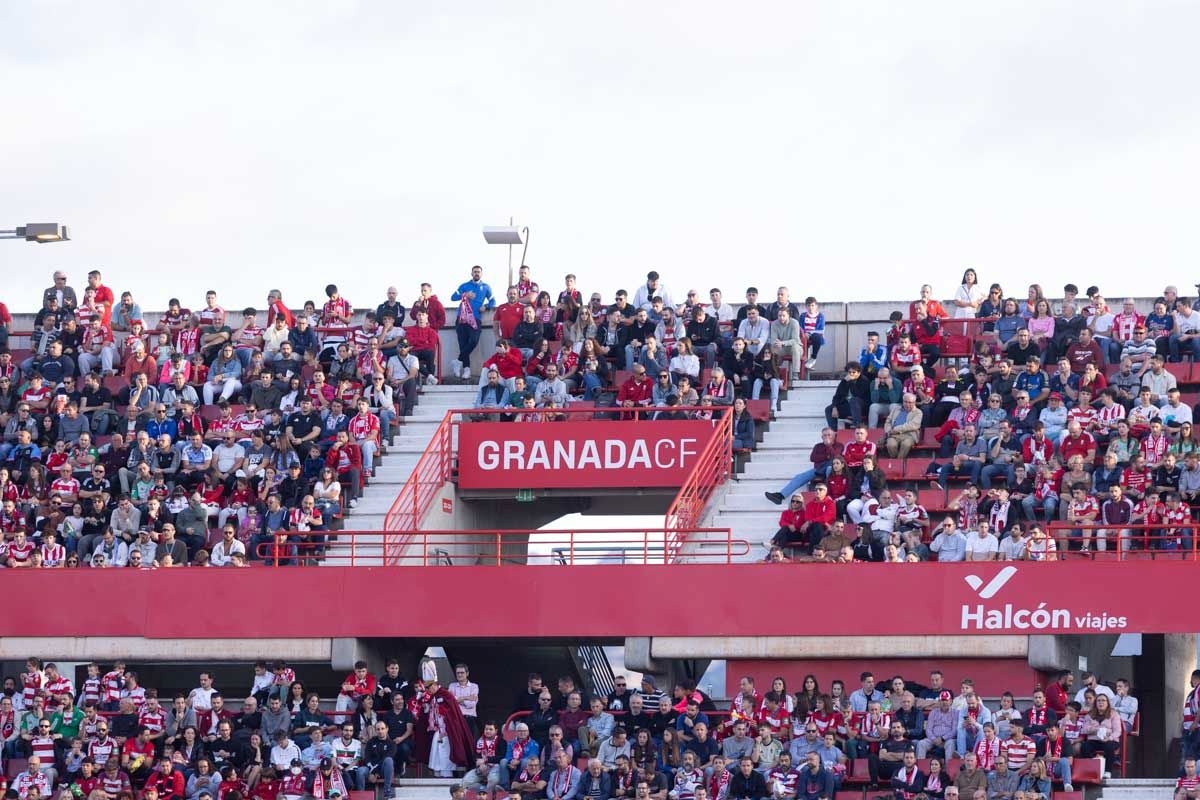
x,y
436,467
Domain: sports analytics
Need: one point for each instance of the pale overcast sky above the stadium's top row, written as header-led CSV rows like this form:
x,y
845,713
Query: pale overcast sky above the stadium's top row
x,y
851,151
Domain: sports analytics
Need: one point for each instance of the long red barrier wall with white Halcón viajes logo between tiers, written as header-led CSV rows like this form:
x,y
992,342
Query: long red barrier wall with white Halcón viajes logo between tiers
x,y
542,601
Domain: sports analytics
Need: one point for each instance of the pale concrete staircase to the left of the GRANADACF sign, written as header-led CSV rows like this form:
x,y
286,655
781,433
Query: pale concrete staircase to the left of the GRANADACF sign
x,y
404,452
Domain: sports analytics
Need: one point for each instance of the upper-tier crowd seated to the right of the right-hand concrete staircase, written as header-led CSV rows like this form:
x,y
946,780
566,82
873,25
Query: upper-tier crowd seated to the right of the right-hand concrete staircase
x,y
1066,430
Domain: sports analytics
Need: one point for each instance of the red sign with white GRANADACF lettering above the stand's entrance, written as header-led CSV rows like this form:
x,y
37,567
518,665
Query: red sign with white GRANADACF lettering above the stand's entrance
x,y
579,455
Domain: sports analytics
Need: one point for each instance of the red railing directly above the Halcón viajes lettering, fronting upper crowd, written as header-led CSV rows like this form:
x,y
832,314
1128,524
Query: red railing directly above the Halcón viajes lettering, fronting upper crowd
x,y
1130,543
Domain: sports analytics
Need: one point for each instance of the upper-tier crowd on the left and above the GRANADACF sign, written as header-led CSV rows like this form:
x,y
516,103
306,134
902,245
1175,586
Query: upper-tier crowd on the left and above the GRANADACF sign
x,y
214,437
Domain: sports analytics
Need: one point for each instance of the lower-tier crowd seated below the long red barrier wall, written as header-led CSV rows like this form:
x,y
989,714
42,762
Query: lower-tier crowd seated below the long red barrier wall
x,y
122,739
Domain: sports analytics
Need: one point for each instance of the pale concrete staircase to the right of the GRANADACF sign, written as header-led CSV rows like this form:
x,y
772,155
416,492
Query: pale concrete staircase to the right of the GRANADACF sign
x,y
783,453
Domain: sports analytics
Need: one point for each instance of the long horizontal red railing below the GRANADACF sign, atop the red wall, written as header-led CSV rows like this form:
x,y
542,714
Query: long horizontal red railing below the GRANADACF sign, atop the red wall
x,y
569,548
